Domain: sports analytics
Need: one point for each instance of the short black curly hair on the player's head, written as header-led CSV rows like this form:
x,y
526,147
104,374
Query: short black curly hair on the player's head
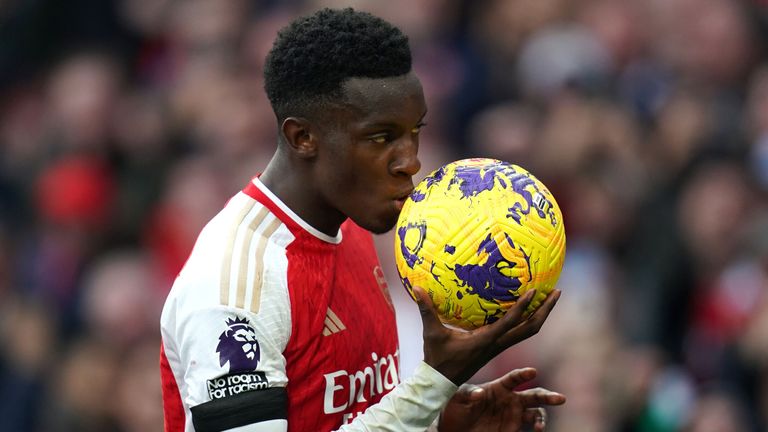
x,y
312,56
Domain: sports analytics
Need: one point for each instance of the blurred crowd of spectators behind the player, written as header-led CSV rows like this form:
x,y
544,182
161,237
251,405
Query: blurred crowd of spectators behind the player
x,y
126,124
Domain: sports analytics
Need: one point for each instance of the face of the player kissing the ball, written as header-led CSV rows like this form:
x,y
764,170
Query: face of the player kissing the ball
x,y
367,151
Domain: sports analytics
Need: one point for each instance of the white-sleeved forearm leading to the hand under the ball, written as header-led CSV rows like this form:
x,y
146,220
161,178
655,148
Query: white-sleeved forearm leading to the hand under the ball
x,y
413,406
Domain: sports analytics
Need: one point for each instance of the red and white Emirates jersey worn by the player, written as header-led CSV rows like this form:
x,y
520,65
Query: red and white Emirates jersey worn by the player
x,y
274,323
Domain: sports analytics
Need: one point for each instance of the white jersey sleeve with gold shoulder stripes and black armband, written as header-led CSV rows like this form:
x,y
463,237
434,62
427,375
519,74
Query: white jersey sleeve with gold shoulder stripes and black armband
x,y
227,322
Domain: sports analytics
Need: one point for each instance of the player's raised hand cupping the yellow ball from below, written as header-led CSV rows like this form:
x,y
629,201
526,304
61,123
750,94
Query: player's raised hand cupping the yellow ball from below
x,y
459,354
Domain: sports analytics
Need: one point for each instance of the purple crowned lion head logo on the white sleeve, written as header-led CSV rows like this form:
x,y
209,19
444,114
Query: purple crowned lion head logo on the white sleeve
x,y
238,346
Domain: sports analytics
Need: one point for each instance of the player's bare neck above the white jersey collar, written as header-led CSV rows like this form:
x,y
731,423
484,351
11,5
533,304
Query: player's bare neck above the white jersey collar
x,y
296,188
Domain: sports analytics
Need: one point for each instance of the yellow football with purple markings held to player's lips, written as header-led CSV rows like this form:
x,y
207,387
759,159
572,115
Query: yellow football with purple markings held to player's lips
x,y
476,234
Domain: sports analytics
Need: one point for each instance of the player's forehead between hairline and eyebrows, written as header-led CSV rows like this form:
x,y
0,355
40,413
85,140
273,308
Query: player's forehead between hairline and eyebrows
x,y
373,100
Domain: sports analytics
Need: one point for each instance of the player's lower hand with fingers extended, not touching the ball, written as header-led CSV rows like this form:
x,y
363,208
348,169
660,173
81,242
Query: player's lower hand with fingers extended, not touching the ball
x,y
496,406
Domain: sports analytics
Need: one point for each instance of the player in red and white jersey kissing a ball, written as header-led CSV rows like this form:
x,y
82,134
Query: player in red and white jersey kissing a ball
x,y
281,319
